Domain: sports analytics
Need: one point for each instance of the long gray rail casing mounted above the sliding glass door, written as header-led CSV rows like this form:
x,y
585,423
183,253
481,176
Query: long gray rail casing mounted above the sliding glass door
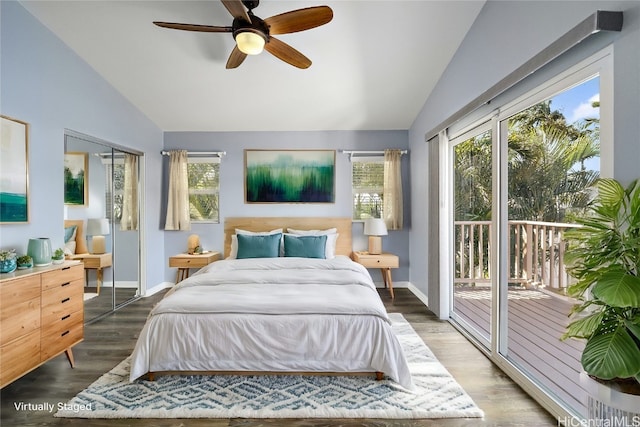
x,y
599,21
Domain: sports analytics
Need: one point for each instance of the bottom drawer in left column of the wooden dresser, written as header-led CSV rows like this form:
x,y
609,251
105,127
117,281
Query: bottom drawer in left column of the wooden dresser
x,y
19,357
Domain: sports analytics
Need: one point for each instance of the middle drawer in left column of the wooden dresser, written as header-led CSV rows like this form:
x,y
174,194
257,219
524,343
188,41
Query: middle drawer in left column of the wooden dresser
x,y
19,319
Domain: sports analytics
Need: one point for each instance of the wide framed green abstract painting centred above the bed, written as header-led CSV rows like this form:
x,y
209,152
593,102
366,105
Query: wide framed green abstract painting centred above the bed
x,y
289,176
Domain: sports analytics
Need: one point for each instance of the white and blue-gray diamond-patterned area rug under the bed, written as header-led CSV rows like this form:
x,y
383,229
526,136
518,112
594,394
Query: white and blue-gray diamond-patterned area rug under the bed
x,y
437,394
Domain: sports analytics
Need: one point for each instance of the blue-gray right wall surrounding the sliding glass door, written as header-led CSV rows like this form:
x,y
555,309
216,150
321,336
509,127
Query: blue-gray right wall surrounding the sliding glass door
x,y
504,36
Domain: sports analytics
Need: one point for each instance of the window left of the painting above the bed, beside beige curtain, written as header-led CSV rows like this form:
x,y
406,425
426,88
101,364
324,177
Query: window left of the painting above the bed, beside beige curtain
x,y
204,188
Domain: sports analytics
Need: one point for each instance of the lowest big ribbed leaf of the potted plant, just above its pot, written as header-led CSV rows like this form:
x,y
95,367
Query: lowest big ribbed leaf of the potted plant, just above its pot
x,y
612,355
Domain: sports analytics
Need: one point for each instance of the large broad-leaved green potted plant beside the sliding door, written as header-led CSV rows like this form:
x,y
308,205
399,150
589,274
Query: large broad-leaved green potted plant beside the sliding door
x,y
603,255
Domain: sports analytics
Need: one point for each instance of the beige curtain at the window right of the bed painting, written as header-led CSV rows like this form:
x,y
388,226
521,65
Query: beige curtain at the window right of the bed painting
x,y
392,205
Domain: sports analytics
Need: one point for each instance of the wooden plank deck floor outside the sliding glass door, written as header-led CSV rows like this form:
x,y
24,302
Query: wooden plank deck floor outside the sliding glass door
x,y
536,320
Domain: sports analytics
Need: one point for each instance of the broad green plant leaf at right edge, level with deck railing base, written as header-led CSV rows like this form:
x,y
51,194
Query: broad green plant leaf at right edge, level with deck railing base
x,y
618,289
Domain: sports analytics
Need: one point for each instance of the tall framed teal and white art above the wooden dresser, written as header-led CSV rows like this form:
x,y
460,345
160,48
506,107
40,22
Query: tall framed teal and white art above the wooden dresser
x,y
14,171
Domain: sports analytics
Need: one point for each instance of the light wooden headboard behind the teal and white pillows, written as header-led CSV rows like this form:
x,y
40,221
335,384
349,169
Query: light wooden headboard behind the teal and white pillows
x,y
343,224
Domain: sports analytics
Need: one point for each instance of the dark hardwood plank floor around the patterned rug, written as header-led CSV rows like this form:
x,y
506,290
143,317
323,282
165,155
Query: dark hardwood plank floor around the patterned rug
x,y
109,340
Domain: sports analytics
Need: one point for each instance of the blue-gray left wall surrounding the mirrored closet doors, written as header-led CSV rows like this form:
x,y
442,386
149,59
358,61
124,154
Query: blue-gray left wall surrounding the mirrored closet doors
x,y
46,84
